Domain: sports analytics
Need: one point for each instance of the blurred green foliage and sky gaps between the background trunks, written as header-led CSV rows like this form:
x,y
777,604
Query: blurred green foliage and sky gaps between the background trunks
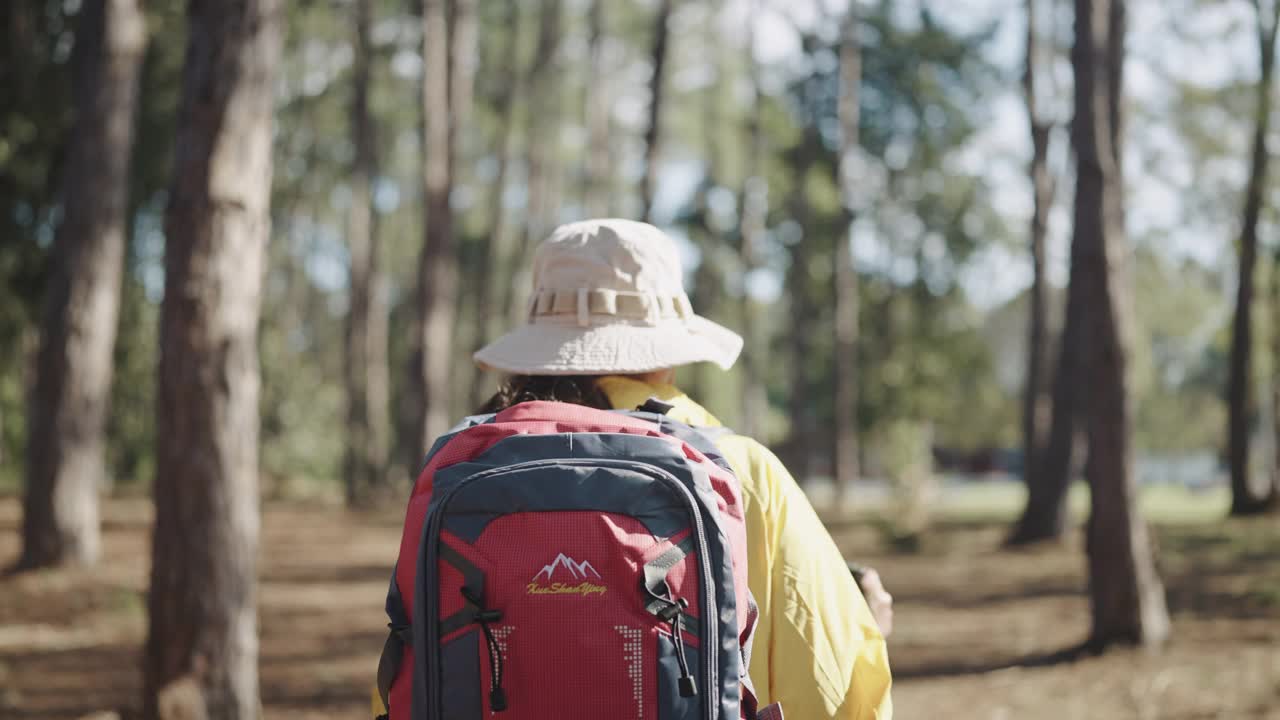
x,y
931,359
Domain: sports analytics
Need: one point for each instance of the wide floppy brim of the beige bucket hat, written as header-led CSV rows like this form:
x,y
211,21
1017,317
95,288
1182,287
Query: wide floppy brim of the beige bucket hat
x,y
561,349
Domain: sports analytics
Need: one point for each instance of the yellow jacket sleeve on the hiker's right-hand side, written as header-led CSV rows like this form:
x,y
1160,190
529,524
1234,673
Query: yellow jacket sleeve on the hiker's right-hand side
x,y
826,655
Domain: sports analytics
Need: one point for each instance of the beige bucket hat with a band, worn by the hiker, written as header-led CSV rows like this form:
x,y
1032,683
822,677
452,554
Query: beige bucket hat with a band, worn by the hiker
x,y
609,299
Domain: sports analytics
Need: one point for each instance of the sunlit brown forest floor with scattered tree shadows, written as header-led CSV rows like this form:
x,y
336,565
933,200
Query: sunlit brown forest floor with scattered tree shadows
x,y
979,632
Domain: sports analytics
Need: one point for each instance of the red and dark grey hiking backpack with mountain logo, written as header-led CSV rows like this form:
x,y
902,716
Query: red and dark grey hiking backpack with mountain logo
x,y
561,563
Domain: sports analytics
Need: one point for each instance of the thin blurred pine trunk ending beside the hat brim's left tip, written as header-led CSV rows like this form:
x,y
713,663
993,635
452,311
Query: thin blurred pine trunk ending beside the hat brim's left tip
x,y
500,244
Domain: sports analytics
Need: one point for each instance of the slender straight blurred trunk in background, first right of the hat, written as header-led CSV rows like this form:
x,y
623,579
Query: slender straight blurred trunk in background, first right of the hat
x,y
845,276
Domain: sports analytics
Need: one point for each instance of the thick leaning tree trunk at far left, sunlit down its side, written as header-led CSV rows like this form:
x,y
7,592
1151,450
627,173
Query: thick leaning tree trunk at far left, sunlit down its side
x,y
74,372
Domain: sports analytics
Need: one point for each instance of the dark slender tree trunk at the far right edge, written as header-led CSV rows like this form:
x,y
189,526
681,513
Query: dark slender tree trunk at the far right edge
x,y
1245,499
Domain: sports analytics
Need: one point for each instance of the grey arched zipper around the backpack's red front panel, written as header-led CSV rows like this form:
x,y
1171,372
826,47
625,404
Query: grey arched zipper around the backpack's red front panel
x,y
710,639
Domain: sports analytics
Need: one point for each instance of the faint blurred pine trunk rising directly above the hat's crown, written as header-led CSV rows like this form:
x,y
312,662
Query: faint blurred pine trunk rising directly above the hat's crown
x,y
598,183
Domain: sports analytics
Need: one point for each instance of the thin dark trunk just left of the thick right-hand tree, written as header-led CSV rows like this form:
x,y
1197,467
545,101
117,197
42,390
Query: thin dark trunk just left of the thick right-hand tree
x,y
1046,471
